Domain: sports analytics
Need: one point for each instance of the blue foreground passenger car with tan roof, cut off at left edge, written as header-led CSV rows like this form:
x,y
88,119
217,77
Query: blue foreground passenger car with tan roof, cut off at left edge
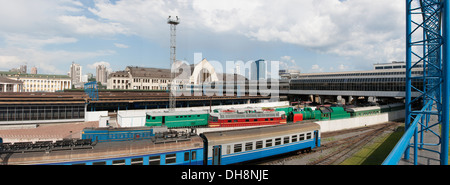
x,y
182,150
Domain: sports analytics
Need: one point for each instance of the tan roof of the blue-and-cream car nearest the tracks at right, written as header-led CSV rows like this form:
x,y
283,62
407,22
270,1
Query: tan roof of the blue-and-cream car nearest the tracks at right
x,y
232,136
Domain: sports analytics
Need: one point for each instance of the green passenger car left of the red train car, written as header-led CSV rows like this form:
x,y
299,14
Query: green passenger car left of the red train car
x,y
177,119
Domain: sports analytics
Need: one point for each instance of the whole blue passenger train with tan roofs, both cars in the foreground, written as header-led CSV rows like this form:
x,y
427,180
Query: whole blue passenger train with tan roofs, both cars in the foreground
x,y
173,148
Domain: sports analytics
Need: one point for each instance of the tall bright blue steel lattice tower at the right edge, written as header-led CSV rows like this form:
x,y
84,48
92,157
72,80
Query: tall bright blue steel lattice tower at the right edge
x,y
427,28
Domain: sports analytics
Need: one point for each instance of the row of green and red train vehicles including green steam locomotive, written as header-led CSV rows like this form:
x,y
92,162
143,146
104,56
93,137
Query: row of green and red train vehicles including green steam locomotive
x,y
257,117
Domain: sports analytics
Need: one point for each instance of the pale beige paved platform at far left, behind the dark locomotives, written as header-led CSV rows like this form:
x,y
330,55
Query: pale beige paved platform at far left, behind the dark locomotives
x,y
46,132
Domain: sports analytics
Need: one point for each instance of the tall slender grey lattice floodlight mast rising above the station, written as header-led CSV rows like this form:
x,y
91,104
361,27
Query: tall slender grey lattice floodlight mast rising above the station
x,y
173,44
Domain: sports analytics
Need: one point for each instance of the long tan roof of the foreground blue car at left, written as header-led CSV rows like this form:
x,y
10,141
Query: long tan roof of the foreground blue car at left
x,y
104,150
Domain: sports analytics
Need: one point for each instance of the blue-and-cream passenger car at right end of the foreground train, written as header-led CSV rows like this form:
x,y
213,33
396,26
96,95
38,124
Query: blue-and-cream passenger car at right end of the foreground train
x,y
236,146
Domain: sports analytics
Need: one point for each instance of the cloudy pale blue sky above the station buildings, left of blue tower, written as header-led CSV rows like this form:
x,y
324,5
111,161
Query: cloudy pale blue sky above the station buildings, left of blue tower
x,y
309,35
